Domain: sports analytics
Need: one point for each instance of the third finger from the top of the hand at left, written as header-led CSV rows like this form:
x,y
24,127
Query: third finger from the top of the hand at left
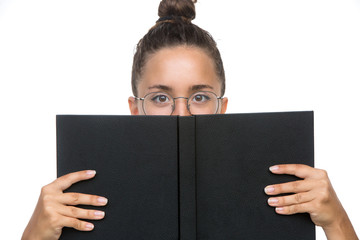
x,y
74,212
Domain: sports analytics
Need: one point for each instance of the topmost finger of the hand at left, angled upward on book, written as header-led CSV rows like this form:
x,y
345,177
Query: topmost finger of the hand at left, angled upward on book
x,y
67,180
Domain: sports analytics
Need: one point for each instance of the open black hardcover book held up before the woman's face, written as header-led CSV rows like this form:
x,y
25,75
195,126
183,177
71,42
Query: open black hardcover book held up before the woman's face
x,y
189,178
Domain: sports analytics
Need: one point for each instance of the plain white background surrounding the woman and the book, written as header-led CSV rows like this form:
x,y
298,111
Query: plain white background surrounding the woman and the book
x,y
75,56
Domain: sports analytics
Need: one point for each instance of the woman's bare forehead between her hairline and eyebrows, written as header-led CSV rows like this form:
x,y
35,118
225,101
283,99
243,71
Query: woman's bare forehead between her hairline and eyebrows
x,y
179,68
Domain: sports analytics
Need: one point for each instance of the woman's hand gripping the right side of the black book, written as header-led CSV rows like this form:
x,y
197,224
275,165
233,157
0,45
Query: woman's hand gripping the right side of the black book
x,y
313,194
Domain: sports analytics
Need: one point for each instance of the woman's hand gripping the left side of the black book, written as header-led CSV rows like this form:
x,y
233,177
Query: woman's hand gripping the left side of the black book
x,y
55,209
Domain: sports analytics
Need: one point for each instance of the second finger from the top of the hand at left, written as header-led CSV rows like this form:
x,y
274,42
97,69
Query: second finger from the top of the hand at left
x,y
80,198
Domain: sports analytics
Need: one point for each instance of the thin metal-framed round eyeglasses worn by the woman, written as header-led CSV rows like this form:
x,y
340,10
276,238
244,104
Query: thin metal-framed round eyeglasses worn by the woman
x,y
160,103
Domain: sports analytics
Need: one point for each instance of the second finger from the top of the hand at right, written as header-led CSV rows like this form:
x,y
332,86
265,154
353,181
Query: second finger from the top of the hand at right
x,y
290,187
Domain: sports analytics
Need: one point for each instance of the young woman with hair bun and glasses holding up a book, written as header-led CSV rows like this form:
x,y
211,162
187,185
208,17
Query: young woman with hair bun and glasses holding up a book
x,y
177,70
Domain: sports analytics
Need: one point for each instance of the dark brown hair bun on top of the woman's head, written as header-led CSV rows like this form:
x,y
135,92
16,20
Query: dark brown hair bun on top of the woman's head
x,y
179,8
